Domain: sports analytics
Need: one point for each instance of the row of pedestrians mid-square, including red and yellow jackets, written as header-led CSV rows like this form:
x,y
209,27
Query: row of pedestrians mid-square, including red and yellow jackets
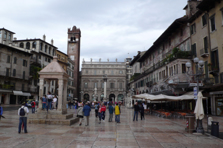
x,y
100,111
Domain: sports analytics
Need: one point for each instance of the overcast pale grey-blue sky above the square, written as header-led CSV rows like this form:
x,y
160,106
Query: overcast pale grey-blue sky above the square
x,y
109,28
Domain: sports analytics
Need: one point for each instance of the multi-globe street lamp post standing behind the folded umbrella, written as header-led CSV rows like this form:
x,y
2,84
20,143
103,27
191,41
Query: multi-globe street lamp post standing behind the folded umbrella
x,y
199,72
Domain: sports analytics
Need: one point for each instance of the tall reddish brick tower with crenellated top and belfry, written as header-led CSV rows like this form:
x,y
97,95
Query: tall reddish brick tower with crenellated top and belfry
x,y
73,52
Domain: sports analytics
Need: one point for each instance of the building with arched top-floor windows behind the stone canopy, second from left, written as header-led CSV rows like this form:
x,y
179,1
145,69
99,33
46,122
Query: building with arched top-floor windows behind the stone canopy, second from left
x,y
42,55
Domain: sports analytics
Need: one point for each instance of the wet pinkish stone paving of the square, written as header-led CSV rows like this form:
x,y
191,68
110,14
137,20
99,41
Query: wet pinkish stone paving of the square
x,y
151,132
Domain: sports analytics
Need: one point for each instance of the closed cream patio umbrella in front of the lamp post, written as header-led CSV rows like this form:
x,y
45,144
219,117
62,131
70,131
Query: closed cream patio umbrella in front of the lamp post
x,y
199,110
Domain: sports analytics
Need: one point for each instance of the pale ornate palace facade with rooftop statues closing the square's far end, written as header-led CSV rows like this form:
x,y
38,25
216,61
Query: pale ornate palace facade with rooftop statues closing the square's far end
x,y
92,80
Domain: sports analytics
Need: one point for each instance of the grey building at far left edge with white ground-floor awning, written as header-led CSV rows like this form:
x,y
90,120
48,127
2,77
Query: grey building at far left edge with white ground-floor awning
x,y
14,70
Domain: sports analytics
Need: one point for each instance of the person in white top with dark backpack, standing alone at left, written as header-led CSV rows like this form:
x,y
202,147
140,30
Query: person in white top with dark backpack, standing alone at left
x,y
23,113
